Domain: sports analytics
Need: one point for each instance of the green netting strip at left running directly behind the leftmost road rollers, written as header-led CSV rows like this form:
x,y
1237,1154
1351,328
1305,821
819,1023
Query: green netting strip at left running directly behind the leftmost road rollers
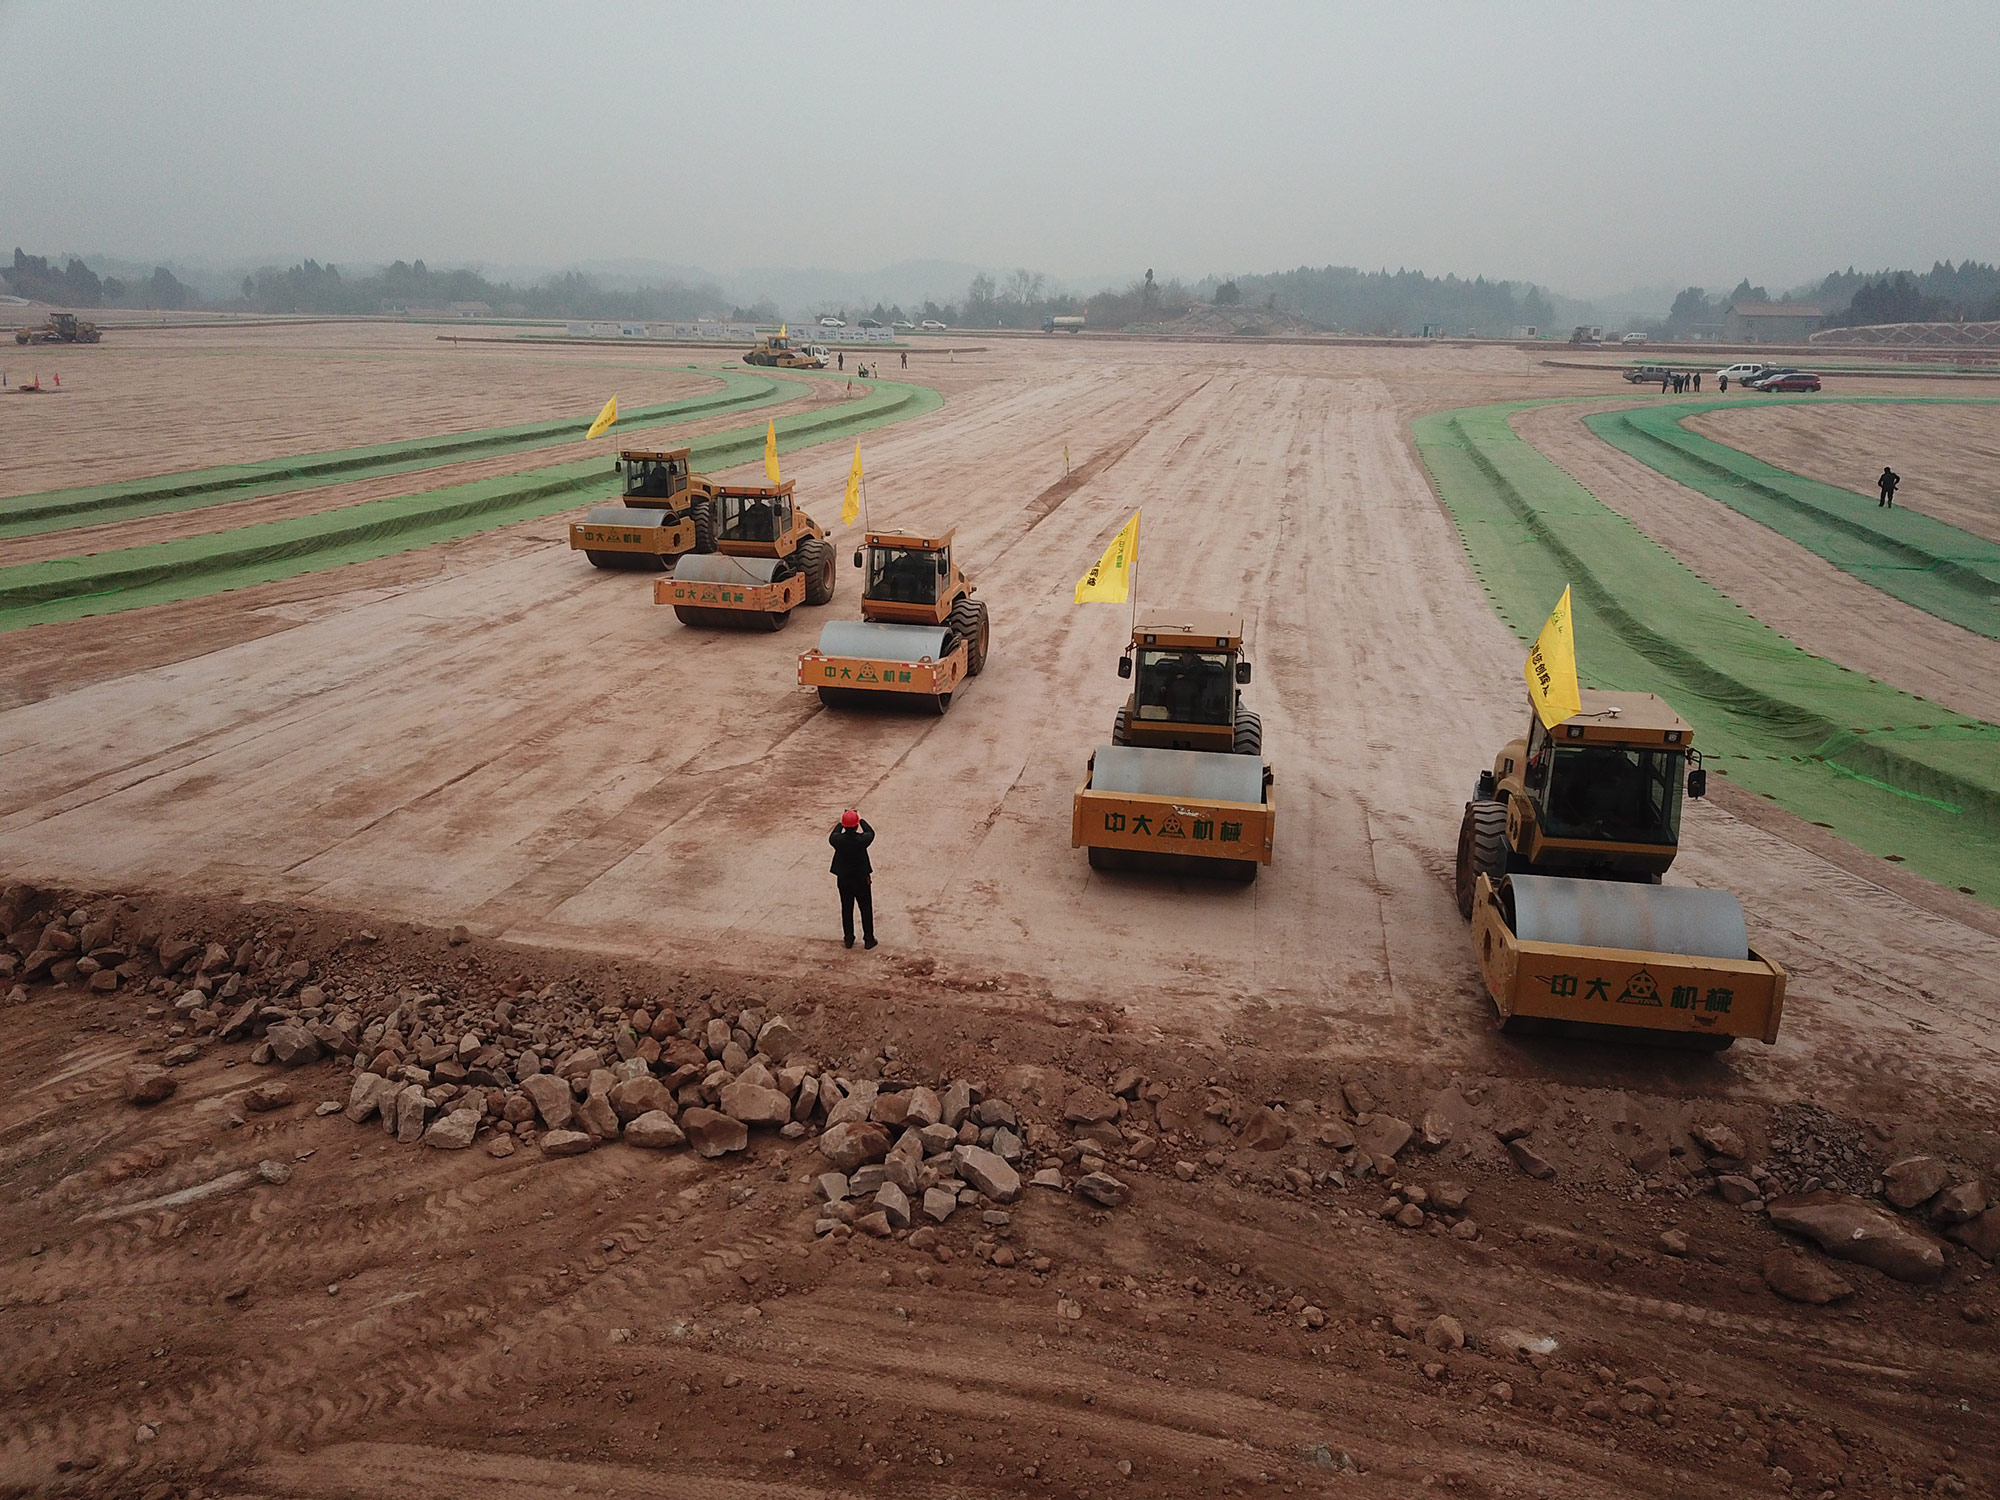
x,y
191,567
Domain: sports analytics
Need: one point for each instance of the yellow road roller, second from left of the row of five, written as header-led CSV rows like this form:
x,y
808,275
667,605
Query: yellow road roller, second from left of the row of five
x,y
769,559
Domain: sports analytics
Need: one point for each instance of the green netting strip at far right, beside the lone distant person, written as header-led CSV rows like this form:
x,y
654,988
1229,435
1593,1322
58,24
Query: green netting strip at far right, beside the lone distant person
x,y
1941,569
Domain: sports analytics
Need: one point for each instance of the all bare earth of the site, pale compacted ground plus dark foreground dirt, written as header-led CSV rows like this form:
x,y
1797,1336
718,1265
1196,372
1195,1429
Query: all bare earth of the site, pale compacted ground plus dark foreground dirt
x,y
493,735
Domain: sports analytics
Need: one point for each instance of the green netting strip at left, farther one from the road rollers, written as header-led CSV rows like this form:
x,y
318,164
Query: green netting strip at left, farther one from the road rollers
x,y
31,515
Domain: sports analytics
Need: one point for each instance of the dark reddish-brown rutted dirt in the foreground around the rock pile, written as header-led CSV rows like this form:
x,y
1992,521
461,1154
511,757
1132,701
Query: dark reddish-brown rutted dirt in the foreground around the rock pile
x,y
1321,1277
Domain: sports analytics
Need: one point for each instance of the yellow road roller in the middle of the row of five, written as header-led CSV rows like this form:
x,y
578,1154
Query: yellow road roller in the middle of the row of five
x,y
921,633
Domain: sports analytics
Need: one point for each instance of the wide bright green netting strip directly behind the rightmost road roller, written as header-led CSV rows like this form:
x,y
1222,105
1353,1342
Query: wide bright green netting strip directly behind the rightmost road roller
x,y
1887,771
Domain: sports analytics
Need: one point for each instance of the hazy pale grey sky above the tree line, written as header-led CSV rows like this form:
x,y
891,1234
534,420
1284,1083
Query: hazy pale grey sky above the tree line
x,y
1591,147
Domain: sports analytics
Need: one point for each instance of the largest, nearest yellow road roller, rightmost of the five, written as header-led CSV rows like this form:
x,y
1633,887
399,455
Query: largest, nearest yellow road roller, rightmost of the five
x,y
1561,857
